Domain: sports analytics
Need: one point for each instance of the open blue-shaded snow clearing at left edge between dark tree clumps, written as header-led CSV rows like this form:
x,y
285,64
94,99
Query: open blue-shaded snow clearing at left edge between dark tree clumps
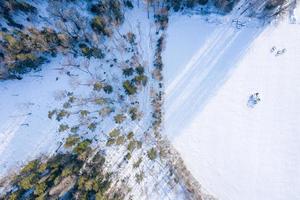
x,y
24,106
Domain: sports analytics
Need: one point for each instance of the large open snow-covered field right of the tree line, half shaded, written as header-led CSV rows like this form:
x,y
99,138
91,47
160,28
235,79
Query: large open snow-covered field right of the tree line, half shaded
x,y
211,69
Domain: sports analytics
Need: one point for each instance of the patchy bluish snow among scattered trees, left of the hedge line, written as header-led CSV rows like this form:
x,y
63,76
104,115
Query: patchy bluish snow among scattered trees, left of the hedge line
x,y
28,133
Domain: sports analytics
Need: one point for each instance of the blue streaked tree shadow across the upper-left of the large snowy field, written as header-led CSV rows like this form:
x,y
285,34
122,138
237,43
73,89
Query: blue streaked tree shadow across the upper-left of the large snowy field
x,y
197,63
